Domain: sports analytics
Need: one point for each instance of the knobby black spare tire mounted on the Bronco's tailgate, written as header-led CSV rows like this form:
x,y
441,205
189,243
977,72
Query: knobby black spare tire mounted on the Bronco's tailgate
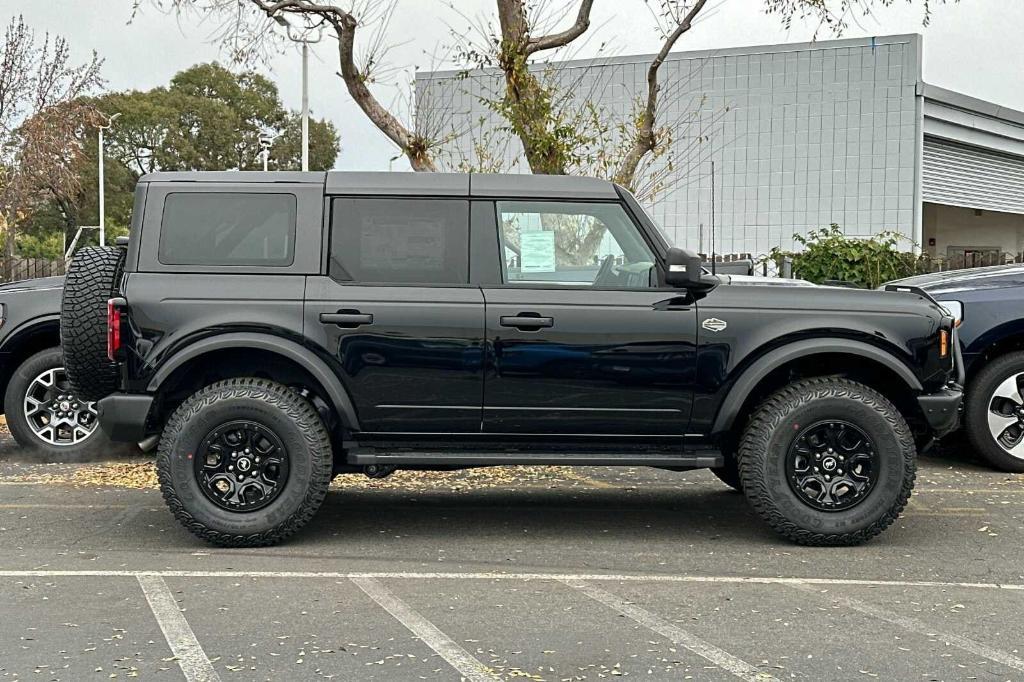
x,y
93,279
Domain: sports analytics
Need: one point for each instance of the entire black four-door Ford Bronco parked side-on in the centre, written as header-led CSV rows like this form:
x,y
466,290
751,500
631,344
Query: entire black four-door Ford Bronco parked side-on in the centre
x,y
278,329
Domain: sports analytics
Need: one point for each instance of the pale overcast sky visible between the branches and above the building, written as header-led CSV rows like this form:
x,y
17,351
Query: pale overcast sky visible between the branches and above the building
x,y
976,48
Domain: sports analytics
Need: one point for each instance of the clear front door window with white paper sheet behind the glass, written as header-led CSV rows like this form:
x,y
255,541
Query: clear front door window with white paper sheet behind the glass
x,y
575,244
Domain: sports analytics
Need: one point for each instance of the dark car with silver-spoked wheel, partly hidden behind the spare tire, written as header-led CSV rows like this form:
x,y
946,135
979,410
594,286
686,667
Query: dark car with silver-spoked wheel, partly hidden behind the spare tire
x,y
42,411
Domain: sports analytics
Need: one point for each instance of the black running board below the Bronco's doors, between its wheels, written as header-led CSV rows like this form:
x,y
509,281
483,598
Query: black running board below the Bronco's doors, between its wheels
x,y
696,459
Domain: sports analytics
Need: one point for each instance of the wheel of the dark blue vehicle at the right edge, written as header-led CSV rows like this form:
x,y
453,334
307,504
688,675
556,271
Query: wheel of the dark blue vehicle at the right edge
x,y
995,418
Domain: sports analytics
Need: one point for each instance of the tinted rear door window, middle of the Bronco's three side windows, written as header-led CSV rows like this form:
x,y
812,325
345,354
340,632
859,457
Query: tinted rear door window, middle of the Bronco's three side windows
x,y
400,241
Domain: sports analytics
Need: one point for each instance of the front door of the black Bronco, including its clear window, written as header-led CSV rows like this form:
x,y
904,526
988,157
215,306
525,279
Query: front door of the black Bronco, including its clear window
x,y
581,338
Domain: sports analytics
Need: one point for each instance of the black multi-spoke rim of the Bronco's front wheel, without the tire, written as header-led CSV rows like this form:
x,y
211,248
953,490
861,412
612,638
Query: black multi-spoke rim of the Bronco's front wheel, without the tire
x,y
832,465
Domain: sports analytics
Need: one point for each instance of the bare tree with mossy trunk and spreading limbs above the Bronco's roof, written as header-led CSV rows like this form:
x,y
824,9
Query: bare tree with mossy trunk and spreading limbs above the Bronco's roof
x,y
559,136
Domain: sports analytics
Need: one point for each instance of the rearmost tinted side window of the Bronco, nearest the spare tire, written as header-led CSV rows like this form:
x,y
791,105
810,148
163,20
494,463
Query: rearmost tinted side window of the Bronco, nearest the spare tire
x,y
228,229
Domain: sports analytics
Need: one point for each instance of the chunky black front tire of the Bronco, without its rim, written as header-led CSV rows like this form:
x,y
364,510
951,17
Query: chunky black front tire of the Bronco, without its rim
x,y
766,443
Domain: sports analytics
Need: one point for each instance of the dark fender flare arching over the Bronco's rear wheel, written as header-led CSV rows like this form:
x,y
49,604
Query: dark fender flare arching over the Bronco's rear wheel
x,y
304,357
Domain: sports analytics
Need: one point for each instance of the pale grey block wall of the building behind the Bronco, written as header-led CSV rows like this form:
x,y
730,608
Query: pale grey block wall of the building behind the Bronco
x,y
803,136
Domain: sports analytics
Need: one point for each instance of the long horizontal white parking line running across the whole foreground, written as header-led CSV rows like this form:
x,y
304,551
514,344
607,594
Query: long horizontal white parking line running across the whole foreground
x,y
750,580
